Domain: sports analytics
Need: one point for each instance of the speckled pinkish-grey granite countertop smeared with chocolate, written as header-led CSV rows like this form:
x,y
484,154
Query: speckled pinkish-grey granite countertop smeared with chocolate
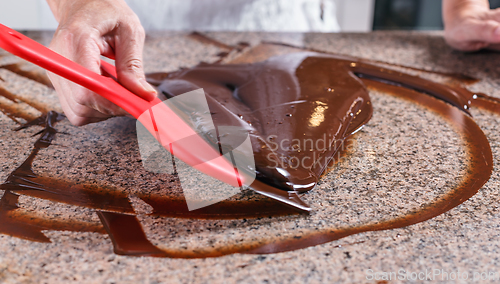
x,y
404,158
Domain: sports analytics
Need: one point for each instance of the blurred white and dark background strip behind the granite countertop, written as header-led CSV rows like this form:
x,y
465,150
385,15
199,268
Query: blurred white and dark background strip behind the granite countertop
x,y
254,15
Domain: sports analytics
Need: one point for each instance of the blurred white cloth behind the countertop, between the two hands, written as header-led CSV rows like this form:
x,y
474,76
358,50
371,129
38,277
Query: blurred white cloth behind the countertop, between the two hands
x,y
237,15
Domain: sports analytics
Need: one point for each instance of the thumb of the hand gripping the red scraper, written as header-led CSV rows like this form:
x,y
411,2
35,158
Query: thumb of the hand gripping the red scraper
x,y
129,43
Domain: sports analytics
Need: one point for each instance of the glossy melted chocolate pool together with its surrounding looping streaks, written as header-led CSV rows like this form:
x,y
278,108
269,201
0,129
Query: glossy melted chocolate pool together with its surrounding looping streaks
x,y
302,96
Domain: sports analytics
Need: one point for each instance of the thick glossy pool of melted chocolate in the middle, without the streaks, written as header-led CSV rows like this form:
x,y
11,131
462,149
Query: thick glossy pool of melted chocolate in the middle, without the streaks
x,y
298,109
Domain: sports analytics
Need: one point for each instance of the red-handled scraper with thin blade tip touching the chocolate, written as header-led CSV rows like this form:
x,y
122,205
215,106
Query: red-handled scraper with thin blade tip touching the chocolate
x,y
203,157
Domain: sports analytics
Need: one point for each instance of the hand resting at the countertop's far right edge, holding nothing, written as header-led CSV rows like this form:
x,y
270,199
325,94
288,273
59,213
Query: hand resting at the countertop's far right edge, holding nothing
x,y
471,25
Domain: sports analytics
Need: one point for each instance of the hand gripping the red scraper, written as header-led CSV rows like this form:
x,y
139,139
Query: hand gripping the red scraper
x,y
88,29
